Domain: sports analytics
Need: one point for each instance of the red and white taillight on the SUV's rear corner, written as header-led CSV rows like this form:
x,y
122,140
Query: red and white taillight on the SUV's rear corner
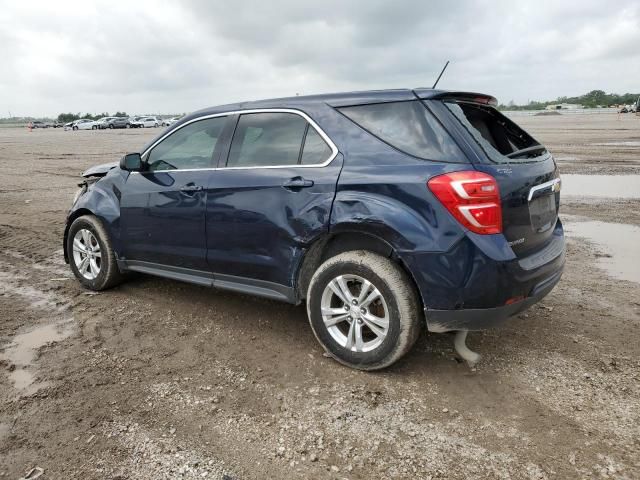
x,y
472,198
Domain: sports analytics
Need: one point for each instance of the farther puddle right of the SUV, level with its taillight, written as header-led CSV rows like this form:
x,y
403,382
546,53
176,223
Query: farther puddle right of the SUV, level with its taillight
x,y
601,186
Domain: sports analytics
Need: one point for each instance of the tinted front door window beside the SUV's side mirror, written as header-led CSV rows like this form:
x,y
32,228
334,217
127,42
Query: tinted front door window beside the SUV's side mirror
x,y
191,146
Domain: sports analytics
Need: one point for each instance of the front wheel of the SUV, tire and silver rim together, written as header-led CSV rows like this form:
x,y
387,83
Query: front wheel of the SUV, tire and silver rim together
x,y
107,275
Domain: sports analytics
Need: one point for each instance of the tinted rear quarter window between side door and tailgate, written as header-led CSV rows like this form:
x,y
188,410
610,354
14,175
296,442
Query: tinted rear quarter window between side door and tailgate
x,y
409,127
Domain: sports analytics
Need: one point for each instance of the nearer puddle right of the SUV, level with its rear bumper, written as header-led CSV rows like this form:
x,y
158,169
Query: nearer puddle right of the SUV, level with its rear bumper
x,y
618,242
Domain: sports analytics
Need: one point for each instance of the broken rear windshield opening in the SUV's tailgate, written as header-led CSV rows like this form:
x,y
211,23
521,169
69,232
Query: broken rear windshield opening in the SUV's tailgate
x,y
501,139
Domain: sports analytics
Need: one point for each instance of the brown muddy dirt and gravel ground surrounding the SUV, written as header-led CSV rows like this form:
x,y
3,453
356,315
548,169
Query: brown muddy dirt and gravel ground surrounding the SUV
x,y
158,379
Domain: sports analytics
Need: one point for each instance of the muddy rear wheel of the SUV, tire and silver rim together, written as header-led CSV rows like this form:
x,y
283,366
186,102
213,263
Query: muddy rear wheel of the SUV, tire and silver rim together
x,y
398,303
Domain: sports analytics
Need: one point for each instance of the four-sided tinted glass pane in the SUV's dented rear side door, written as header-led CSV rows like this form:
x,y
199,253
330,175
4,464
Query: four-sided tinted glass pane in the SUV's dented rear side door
x,y
267,139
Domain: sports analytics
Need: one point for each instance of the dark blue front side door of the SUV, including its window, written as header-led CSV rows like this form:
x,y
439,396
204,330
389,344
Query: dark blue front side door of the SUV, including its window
x,y
163,207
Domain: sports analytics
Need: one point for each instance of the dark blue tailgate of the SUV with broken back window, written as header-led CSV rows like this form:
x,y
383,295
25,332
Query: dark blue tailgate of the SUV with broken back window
x,y
525,171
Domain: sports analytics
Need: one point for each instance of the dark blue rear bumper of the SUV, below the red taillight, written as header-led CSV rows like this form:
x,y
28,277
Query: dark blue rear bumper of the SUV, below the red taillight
x,y
475,285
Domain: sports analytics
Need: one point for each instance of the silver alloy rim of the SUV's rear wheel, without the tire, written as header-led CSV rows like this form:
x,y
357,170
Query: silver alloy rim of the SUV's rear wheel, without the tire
x,y
355,313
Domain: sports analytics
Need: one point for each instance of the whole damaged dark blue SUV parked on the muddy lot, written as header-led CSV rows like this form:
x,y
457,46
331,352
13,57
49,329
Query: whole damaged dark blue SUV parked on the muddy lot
x,y
384,210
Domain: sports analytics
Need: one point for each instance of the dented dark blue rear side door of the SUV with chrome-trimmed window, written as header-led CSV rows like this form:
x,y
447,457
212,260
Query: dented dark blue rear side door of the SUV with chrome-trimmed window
x,y
270,197
